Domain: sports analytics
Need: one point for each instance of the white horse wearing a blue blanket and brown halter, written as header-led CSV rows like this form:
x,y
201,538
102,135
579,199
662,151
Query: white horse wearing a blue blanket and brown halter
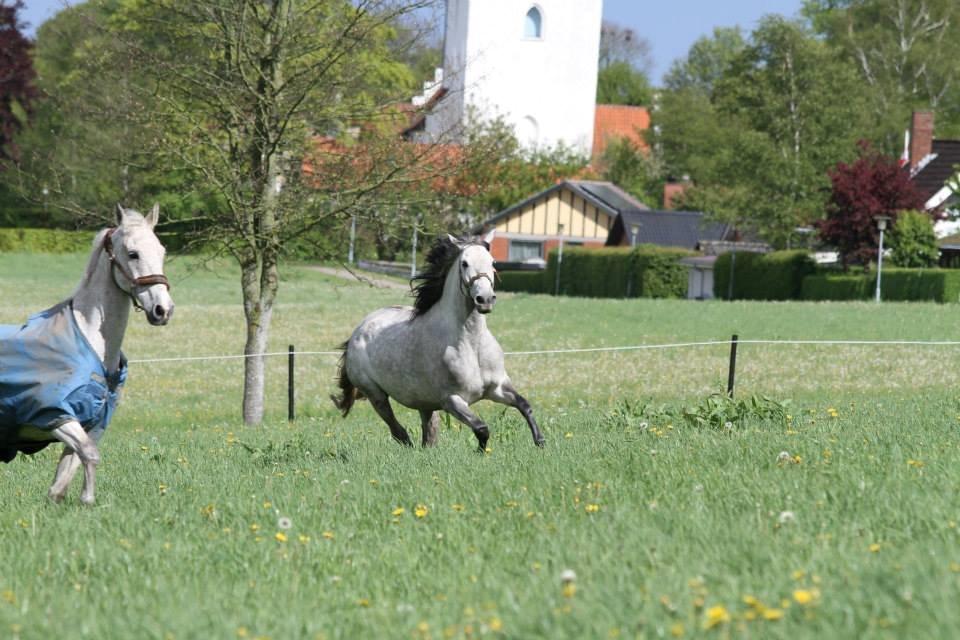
x,y
61,372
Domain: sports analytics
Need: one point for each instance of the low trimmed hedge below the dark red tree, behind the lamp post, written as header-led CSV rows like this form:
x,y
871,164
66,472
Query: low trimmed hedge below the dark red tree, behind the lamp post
x,y
939,285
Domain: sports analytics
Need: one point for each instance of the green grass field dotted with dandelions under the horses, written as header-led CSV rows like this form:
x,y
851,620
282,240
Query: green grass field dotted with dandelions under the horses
x,y
324,528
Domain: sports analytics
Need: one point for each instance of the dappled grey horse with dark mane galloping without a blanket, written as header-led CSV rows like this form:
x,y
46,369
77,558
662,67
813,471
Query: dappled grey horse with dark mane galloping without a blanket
x,y
438,354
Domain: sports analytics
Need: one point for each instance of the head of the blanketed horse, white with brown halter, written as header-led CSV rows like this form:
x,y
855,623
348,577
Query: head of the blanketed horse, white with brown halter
x,y
136,257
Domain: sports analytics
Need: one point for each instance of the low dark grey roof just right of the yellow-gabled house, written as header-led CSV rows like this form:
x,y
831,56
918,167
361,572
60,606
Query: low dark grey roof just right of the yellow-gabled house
x,y
684,229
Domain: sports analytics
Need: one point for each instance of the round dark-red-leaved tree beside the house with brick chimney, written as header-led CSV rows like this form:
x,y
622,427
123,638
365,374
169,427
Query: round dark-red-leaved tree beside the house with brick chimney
x,y
873,185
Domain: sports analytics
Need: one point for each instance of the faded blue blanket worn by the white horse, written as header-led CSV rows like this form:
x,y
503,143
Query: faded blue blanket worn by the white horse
x,y
49,375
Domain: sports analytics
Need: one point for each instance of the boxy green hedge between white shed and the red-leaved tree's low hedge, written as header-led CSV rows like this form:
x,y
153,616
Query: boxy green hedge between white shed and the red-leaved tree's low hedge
x,y
762,276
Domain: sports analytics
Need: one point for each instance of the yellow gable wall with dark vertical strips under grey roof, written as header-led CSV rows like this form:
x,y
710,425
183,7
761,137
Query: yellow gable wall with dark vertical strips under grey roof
x,y
580,219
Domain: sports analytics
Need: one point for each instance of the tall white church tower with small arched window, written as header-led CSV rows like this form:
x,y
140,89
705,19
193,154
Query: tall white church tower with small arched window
x,y
533,63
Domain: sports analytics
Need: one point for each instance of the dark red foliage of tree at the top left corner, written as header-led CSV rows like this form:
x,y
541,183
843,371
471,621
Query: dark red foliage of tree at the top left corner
x,y
17,91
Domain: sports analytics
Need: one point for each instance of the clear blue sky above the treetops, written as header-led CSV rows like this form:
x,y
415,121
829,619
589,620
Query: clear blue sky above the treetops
x,y
671,26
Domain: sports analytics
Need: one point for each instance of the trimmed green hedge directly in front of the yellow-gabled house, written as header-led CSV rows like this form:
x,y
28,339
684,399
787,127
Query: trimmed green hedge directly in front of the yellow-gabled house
x,y
648,271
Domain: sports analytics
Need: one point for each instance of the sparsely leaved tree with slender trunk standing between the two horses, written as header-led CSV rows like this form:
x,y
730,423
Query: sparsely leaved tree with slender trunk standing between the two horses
x,y
256,98
